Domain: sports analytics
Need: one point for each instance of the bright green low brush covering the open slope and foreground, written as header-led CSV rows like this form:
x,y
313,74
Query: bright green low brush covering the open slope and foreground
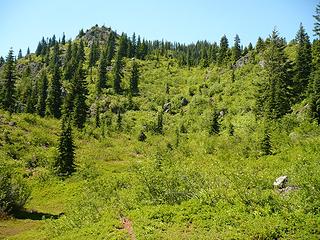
x,y
187,155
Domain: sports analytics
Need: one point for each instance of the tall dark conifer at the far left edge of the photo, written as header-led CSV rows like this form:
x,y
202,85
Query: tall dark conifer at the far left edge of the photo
x,y
8,90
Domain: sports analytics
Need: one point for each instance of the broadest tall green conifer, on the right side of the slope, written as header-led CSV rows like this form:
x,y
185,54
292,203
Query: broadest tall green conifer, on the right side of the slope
x,y
273,99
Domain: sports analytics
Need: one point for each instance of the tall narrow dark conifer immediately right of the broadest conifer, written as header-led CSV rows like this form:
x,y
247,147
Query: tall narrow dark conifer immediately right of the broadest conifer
x,y
302,65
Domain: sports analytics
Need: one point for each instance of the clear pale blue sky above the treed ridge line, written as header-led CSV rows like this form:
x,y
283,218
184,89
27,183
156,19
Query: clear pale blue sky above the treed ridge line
x,y
24,22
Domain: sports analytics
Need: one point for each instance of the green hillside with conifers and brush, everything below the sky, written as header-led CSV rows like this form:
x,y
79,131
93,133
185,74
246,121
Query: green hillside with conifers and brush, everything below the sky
x,y
109,136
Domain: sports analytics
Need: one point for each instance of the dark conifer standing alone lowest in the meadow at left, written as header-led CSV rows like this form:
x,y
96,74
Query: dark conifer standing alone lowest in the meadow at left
x,y
64,164
